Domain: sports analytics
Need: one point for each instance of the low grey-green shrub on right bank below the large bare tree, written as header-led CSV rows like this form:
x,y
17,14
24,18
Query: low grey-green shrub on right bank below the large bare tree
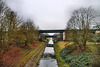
x,y
77,60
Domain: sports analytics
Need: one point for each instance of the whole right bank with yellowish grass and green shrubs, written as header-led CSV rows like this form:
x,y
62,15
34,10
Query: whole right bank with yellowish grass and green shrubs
x,y
65,57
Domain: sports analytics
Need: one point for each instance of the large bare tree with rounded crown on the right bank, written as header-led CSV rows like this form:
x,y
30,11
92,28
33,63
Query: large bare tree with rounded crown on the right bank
x,y
79,25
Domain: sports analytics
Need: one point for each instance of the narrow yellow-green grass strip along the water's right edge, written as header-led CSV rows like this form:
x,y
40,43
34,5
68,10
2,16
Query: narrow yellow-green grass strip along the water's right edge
x,y
57,48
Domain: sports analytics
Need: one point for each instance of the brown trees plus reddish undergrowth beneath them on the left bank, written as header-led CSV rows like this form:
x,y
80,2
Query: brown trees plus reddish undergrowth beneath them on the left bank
x,y
17,37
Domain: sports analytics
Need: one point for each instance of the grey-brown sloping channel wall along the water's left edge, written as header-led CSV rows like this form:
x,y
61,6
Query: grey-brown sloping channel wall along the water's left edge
x,y
34,60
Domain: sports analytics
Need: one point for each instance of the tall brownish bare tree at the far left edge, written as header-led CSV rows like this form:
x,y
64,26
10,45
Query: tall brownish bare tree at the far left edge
x,y
8,25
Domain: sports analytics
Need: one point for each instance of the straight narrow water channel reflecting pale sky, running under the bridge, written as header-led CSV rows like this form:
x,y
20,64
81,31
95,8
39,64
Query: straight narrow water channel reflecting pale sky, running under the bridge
x,y
48,59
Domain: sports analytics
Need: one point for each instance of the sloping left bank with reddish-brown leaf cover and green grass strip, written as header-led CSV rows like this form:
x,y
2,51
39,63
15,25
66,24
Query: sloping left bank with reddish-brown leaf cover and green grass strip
x,y
17,56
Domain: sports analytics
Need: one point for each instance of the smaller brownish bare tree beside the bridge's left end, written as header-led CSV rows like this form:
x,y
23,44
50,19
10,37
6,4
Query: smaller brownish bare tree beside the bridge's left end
x,y
30,31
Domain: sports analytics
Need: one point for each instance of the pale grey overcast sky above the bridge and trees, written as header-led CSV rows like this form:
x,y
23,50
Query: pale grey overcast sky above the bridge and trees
x,y
50,14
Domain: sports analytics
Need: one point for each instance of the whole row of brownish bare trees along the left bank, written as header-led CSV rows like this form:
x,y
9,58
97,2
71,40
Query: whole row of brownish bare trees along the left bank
x,y
14,30
